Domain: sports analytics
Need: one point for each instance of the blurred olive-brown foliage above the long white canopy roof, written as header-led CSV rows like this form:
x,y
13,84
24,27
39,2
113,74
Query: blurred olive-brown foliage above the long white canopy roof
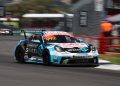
x,y
32,6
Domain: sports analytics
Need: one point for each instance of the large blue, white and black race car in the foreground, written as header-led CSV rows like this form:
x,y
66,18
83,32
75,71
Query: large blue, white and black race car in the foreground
x,y
56,47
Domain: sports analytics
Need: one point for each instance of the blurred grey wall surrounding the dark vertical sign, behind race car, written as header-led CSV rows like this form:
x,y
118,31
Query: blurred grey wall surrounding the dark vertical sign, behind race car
x,y
93,20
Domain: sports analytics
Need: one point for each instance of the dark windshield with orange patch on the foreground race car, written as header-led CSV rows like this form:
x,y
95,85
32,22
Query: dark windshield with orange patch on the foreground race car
x,y
60,39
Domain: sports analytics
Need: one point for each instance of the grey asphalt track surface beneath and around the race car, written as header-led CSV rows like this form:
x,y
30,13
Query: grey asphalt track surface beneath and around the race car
x,y
16,74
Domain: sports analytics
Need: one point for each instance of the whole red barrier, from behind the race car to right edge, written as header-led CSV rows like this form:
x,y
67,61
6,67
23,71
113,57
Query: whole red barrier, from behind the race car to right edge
x,y
104,44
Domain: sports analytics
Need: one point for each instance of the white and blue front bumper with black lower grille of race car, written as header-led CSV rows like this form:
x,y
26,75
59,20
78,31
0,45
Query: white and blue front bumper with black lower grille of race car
x,y
75,58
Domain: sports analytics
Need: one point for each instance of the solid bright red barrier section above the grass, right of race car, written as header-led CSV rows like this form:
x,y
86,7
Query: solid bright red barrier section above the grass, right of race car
x,y
109,44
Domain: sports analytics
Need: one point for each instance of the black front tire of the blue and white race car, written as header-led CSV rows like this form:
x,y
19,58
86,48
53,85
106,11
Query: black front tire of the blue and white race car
x,y
46,58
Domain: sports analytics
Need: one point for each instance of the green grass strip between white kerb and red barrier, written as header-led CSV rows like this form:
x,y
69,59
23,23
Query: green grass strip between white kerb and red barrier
x,y
115,59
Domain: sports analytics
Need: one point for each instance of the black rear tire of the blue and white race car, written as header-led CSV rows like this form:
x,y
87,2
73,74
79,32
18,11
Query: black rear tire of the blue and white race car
x,y
19,54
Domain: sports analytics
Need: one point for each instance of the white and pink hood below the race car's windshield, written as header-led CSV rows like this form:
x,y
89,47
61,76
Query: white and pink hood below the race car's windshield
x,y
70,45
